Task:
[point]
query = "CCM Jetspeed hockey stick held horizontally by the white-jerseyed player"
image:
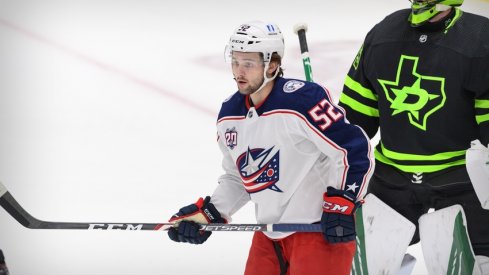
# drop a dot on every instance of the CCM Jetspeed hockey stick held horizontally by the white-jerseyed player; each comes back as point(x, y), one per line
point(8, 202)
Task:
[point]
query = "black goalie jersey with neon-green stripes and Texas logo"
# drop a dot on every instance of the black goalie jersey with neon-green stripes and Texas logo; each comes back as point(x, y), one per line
point(427, 91)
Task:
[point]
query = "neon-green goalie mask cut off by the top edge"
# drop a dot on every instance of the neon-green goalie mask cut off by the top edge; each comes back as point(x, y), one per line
point(424, 10)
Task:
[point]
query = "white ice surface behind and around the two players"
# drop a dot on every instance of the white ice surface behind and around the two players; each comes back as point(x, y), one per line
point(107, 114)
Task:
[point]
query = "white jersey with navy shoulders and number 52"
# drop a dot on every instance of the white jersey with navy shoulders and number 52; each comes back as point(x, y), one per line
point(283, 154)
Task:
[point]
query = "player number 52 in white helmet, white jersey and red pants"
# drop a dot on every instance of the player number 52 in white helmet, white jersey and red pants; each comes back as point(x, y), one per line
point(288, 149)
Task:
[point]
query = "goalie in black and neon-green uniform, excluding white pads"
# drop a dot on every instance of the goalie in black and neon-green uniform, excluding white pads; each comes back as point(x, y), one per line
point(422, 77)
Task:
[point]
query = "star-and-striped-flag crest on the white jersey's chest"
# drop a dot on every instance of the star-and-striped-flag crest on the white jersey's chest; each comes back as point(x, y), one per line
point(259, 169)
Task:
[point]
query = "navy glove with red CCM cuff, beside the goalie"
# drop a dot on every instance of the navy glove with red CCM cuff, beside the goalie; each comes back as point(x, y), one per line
point(338, 220)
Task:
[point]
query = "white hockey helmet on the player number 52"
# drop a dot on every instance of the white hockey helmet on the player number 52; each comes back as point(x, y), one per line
point(256, 36)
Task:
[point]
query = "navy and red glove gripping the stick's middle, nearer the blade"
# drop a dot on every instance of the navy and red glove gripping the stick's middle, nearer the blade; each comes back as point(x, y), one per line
point(188, 221)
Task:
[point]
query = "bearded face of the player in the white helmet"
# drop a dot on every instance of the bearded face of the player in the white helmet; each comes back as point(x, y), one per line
point(248, 71)
